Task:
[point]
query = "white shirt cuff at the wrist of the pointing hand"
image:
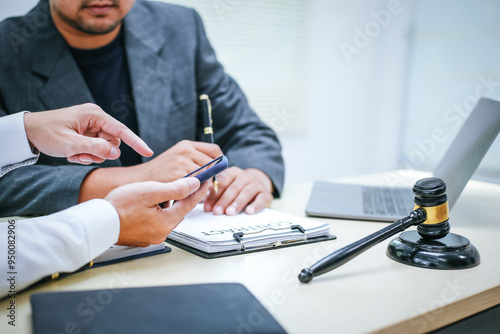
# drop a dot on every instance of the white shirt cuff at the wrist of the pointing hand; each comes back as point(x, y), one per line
point(15, 150)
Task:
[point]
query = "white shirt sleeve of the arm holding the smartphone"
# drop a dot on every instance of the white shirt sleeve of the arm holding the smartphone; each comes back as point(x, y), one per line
point(61, 242)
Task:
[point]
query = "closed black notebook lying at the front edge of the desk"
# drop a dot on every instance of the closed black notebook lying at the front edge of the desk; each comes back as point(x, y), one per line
point(204, 308)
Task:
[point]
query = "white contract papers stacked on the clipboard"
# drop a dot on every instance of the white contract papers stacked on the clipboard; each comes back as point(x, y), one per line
point(210, 233)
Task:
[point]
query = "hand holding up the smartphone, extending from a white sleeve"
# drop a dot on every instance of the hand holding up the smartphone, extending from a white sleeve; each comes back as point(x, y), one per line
point(142, 220)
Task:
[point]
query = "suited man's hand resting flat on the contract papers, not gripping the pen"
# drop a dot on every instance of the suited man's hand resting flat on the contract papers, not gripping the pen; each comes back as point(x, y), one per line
point(238, 188)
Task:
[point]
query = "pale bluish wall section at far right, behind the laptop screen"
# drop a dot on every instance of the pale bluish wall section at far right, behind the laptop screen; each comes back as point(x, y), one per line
point(455, 60)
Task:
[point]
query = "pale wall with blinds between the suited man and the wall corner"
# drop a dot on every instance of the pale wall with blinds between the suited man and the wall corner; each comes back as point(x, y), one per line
point(348, 105)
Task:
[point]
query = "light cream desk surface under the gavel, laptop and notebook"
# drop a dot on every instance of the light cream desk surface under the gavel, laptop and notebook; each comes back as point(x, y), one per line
point(369, 294)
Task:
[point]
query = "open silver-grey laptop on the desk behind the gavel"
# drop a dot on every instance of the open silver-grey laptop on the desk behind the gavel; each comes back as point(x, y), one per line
point(383, 203)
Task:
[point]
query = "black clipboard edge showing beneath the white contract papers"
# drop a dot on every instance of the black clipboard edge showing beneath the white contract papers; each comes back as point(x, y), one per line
point(217, 255)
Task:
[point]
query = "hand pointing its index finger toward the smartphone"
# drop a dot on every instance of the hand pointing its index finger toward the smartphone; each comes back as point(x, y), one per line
point(84, 134)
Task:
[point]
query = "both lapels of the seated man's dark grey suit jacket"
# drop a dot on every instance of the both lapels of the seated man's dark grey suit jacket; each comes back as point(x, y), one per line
point(150, 74)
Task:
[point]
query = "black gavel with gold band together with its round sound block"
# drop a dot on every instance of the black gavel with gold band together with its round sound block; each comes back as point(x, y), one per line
point(431, 246)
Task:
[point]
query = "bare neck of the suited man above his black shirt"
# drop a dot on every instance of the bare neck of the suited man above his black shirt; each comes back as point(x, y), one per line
point(80, 40)
